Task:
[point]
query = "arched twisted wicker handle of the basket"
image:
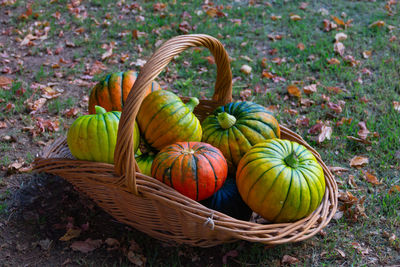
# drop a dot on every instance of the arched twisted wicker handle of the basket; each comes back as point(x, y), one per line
point(124, 158)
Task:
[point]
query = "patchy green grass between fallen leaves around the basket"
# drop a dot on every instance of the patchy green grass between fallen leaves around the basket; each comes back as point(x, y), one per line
point(250, 37)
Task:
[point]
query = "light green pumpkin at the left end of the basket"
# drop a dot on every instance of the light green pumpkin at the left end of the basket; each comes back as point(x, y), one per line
point(93, 137)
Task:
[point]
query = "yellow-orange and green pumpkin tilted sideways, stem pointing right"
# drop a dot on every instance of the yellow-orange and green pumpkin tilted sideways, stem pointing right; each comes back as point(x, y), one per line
point(164, 119)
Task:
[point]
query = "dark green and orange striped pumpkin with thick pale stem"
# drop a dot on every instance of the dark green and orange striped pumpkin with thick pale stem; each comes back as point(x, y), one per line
point(237, 126)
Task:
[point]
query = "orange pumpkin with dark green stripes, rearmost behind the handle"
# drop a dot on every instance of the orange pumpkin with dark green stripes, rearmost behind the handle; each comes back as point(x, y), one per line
point(112, 91)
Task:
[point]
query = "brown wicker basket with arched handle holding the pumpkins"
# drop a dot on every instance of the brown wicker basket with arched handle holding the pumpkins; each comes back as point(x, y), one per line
point(156, 209)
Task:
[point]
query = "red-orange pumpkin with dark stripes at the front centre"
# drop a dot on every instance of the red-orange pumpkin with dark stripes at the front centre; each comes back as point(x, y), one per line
point(195, 169)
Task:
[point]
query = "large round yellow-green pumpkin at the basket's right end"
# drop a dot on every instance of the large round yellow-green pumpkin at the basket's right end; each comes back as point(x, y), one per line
point(280, 180)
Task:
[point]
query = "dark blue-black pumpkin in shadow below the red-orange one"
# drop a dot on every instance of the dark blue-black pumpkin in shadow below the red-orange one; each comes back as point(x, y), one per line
point(228, 200)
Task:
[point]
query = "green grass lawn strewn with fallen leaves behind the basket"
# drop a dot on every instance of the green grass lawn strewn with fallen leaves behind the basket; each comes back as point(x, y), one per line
point(293, 45)
